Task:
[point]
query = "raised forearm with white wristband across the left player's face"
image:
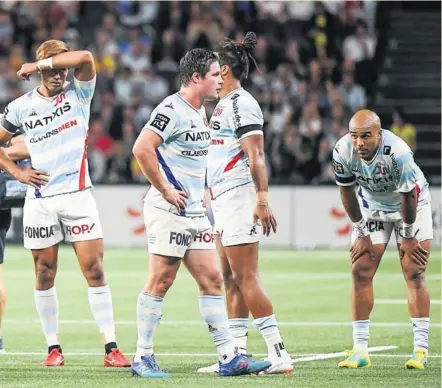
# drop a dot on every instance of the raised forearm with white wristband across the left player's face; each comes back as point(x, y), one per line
point(82, 61)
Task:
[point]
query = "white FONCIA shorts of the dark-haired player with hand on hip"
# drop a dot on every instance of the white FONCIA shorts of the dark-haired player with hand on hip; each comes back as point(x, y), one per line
point(172, 235)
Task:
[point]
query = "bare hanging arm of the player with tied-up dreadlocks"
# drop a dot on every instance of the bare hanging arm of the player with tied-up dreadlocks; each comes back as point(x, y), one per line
point(253, 147)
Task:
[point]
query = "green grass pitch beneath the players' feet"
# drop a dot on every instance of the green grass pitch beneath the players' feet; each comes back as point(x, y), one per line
point(311, 295)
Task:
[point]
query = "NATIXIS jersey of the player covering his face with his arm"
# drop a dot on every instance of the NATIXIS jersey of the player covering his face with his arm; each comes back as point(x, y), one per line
point(55, 131)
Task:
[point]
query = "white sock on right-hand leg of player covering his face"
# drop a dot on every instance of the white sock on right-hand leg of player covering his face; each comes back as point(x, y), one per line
point(100, 302)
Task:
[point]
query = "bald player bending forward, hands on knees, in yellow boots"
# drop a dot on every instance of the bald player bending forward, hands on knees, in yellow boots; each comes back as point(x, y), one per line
point(382, 189)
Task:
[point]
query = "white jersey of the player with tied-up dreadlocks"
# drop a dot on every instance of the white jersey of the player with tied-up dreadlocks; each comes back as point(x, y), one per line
point(236, 116)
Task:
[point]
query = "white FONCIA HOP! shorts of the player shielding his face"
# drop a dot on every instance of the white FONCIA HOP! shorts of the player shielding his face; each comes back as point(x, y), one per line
point(70, 217)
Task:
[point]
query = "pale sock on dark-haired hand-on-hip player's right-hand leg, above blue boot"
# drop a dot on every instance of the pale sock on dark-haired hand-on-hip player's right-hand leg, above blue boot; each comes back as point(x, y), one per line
point(213, 310)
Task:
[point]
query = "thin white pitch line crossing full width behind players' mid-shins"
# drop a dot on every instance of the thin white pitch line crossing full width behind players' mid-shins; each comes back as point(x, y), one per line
point(200, 323)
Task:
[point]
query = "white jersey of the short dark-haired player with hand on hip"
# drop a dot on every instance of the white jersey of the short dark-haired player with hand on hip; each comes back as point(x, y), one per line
point(182, 155)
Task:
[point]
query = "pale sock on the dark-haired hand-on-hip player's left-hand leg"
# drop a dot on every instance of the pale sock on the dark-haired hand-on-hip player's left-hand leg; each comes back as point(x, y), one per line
point(148, 318)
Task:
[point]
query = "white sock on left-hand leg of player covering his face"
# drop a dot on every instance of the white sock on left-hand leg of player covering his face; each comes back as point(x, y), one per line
point(46, 303)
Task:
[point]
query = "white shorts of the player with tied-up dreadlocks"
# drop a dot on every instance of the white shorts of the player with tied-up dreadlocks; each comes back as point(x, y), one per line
point(233, 214)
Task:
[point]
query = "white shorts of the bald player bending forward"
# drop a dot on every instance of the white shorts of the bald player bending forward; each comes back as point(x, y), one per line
point(380, 225)
